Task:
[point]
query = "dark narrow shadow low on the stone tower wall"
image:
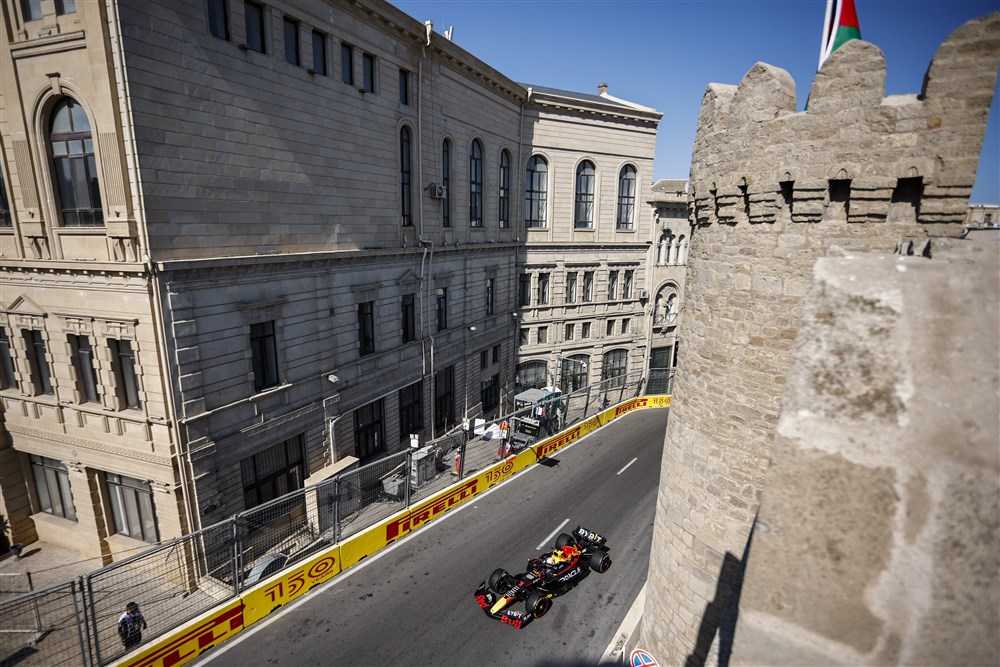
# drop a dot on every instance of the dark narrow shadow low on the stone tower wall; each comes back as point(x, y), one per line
point(723, 611)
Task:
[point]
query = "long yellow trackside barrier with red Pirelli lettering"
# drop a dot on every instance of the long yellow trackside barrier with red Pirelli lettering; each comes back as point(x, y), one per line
point(189, 640)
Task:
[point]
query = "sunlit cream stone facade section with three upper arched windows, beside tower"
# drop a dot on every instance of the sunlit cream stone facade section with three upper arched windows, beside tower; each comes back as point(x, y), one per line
point(584, 286)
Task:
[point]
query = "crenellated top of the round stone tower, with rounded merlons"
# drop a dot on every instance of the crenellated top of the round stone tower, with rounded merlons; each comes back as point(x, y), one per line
point(911, 157)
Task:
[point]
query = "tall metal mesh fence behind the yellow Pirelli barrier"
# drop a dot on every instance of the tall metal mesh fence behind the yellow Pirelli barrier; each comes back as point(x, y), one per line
point(76, 623)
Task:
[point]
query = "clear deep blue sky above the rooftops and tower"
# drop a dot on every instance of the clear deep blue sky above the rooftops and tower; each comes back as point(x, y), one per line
point(663, 53)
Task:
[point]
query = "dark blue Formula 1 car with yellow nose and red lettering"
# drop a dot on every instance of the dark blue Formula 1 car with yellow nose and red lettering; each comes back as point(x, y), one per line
point(547, 576)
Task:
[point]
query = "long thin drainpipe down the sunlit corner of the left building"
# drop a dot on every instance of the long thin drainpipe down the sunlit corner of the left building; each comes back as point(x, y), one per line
point(182, 455)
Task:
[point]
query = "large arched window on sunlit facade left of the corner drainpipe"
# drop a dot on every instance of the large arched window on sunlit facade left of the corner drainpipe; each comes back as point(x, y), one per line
point(74, 168)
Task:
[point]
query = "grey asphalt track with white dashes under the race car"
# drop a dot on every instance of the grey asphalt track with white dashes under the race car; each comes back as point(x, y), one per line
point(413, 603)
